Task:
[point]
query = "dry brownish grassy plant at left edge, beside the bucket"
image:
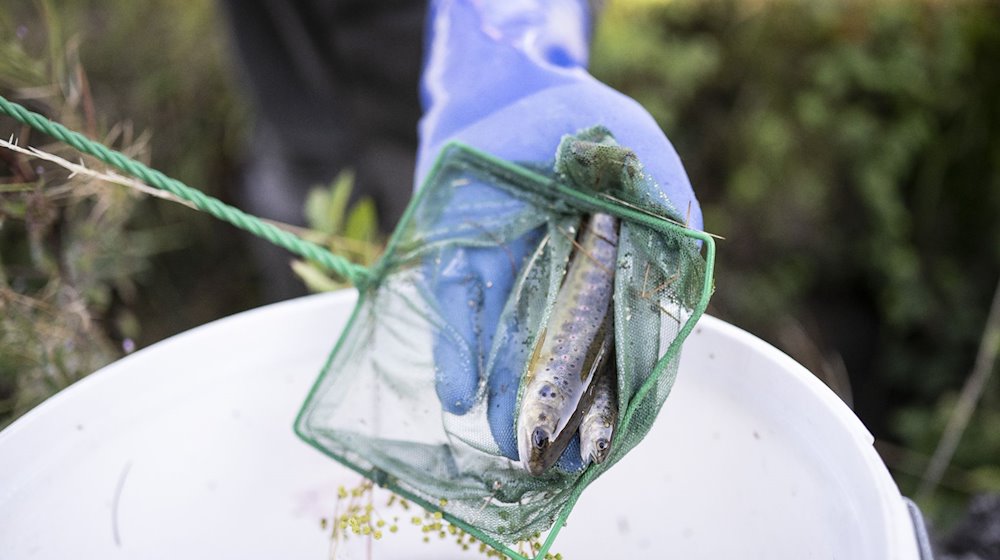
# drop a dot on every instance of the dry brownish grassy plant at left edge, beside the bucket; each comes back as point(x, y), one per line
point(64, 272)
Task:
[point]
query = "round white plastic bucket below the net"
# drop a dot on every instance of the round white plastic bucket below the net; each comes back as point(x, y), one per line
point(186, 450)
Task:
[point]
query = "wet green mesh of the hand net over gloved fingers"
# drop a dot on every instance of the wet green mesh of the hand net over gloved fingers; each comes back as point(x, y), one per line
point(381, 405)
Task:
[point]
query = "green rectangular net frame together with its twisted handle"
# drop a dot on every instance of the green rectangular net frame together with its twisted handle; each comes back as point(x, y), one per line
point(366, 280)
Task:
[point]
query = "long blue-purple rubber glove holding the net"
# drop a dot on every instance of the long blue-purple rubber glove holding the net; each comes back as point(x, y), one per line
point(509, 78)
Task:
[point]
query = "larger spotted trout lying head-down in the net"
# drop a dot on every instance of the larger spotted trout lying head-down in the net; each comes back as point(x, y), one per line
point(571, 350)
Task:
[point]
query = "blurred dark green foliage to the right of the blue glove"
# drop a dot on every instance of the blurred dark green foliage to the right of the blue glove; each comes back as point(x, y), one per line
point(850, 154)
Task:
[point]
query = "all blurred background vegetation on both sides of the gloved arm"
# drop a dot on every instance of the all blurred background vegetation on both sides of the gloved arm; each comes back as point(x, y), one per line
point(848, 151)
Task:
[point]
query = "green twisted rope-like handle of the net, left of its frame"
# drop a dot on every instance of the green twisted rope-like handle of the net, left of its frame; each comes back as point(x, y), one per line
point(354, 273)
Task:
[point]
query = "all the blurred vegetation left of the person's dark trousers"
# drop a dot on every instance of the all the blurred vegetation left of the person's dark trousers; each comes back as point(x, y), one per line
point(89, 271)
